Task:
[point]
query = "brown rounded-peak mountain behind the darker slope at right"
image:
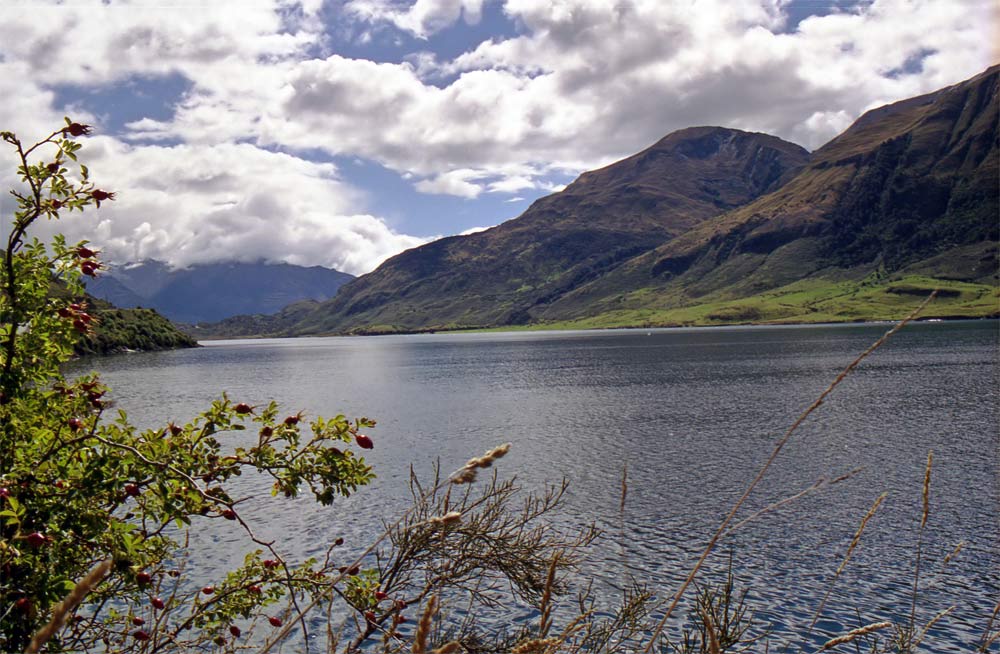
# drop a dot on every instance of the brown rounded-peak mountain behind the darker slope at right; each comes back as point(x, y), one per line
point(564, 240)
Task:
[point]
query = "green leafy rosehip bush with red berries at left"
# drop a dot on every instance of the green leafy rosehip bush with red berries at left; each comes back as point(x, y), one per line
point(80, 485)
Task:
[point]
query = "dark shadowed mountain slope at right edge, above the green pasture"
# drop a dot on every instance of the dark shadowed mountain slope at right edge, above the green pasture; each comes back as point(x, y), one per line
point(909, 188)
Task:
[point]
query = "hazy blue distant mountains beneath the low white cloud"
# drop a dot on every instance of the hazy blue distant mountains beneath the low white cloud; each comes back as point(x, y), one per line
point(212, 292)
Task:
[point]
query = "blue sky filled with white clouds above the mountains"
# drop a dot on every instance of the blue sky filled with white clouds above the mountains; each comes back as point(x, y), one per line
point(341, 132)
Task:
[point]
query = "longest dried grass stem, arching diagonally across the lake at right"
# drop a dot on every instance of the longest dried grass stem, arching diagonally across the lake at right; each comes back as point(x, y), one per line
point(767, 465)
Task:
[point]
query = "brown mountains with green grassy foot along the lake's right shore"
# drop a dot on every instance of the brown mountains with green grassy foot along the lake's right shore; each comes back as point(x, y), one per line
point(713, 225)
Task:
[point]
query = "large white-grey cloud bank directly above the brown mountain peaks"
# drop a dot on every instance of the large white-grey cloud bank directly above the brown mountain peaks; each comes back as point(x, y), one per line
point(588, 82)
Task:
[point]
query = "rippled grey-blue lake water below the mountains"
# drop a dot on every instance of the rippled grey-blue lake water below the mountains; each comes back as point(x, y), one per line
point(693, 413)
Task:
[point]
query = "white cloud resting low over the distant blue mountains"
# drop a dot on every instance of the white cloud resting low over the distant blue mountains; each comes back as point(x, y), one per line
point(188, 204)
